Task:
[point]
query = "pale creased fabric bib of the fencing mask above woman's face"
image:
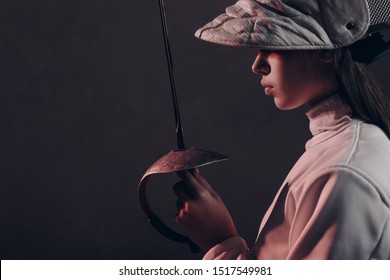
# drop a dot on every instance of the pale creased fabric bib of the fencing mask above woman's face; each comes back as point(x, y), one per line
point(278, 25)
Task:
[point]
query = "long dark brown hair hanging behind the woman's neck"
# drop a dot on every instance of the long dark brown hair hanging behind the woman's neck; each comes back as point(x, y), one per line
point(362, 92)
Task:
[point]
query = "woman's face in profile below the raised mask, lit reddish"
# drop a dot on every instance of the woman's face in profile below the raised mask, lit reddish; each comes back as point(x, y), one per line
point(294, 78)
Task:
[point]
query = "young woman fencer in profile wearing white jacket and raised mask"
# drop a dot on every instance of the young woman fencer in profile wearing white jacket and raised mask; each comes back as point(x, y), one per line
point(334, 203)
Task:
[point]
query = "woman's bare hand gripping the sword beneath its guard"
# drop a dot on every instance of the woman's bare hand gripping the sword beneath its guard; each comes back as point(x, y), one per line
point(202, 215)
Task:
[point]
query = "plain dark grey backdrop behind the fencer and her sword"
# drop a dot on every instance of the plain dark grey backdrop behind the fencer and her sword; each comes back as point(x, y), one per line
point(85, 110)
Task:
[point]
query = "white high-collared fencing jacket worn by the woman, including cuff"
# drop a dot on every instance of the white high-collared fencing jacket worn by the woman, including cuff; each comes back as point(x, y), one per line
point(334, 203)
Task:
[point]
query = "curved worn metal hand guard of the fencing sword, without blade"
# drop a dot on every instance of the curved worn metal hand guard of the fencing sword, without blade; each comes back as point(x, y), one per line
point(177, 160)
